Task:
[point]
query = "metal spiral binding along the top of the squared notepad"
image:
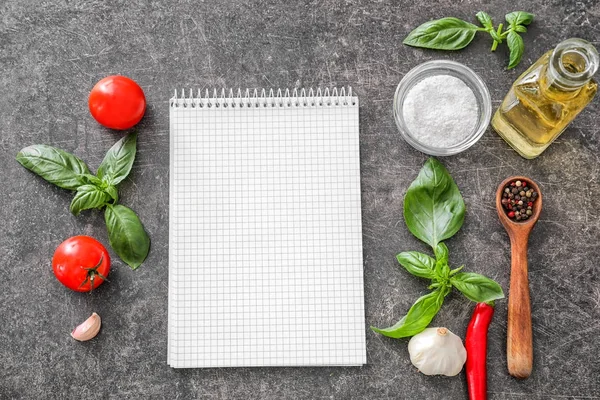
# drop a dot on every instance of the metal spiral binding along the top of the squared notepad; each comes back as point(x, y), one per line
point(251, 98)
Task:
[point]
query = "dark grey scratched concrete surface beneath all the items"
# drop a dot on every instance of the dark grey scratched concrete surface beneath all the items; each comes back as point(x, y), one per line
point(52, 53)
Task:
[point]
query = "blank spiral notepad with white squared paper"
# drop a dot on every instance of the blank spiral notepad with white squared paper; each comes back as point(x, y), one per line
point(265, 243)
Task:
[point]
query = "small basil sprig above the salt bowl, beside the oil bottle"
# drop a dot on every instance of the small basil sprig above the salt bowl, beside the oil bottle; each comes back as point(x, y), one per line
point(455, 34)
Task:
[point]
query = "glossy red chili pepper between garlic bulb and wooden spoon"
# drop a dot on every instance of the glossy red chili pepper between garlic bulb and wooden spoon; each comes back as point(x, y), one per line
point(476, 345)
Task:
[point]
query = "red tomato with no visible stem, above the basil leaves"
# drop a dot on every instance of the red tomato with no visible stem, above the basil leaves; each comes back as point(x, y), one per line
point(117, 102)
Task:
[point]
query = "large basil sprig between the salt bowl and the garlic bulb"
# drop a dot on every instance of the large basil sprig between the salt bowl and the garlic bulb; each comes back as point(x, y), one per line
point(434, 211)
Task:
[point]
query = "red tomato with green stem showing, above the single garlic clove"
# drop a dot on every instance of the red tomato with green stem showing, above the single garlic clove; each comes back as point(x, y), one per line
point(81, 263)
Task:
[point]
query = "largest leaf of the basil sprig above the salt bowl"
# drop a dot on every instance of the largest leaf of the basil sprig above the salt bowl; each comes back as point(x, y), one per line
point(442, 34)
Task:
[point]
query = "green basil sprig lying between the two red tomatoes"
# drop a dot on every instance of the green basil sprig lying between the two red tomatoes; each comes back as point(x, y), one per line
point(126, 233)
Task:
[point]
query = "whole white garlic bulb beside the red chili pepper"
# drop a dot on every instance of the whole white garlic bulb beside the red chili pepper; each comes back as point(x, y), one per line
point(437, 351)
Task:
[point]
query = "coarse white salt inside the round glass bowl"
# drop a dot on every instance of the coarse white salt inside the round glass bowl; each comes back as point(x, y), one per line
point(440, 111)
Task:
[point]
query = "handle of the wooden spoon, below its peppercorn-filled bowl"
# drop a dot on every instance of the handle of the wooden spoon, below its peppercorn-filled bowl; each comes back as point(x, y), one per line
point(519, 346)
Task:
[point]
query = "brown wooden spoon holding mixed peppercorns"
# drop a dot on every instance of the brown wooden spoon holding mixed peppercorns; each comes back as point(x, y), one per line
point(519, 341)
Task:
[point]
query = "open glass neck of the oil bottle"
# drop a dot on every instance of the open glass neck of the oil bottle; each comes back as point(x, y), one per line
point(571, 66)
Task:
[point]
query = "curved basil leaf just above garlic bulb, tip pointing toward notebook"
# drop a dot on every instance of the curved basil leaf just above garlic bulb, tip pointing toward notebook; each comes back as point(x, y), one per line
point(417, 318)
